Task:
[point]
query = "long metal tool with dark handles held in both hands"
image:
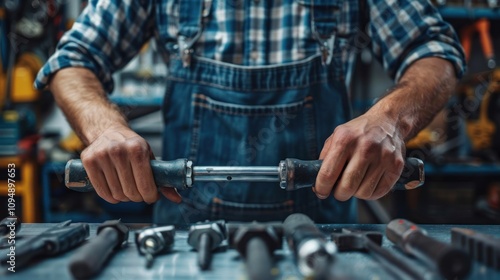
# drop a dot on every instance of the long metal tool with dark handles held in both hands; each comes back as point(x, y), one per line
point(292, 174)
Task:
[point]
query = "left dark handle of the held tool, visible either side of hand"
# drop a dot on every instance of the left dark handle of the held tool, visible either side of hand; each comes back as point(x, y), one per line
point(172, 174)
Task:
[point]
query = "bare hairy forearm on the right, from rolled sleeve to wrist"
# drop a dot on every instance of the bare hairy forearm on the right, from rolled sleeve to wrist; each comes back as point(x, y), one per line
point(422, 91)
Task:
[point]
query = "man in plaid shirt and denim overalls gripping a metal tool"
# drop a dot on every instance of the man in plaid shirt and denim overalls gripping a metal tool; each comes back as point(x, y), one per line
point(252, 83)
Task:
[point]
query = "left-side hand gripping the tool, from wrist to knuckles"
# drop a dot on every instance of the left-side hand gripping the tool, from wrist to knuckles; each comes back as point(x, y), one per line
point(117, 163)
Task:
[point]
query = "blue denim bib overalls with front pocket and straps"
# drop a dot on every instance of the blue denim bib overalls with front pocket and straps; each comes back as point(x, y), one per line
point(222, 114)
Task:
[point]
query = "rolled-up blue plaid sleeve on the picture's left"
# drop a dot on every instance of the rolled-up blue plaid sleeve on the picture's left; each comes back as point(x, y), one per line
point(104, 38)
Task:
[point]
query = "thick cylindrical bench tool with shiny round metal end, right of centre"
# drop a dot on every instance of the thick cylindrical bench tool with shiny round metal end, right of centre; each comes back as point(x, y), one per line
point(313, 253)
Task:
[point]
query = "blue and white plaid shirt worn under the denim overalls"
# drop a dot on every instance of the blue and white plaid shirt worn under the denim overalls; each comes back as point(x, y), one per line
point(109, 33)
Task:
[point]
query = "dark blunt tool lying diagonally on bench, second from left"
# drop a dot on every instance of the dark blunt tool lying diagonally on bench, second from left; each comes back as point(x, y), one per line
point(90, 258)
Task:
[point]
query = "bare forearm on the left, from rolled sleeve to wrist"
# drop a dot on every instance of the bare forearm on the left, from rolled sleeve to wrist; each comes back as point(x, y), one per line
point(82, 99)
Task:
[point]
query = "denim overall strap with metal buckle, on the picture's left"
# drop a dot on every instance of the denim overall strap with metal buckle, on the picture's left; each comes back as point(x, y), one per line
point(191, 21)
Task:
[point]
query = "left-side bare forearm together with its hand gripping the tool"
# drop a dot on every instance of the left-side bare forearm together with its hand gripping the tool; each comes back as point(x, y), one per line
point(116, 158)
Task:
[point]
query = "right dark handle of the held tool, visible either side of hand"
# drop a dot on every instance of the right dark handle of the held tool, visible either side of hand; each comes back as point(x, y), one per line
point(302, 174)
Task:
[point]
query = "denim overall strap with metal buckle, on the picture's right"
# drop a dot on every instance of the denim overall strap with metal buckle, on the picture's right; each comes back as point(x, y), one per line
point(324, 14)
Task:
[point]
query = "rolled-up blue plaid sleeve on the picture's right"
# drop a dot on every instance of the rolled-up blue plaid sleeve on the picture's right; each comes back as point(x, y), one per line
point(405, 31)
